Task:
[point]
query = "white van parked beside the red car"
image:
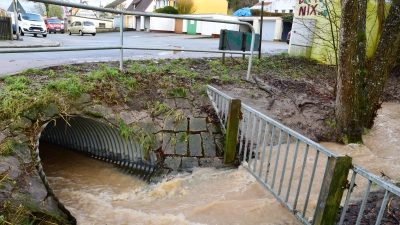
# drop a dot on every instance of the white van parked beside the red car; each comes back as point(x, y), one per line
point(31, 23)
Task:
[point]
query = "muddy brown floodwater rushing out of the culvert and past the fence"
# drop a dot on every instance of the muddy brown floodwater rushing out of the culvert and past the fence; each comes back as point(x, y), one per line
point(98, 193)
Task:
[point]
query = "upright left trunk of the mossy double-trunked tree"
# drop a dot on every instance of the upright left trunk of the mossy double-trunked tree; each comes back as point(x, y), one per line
point(351, 68)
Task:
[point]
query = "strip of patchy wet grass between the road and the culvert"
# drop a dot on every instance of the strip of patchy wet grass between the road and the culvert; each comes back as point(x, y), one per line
point(35, 88)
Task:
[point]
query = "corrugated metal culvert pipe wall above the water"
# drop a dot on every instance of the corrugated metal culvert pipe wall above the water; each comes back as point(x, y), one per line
point(101, 141)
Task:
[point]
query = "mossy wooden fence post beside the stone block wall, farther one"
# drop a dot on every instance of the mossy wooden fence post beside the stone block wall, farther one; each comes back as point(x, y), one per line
point(232, 129)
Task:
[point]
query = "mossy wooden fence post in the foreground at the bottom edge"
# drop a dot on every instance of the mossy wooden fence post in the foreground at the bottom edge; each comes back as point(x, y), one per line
point(332, 190)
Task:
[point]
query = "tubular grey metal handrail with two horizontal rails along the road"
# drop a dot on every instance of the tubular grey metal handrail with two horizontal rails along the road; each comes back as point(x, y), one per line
point(121, 47)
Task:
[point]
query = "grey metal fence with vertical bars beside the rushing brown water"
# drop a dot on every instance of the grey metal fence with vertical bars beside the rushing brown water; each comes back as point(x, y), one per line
point(303, 175)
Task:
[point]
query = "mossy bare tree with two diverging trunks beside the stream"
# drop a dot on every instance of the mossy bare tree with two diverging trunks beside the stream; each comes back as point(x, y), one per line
point(362, 78)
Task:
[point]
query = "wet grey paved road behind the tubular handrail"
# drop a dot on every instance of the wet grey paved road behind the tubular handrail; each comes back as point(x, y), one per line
point(11, 63)
